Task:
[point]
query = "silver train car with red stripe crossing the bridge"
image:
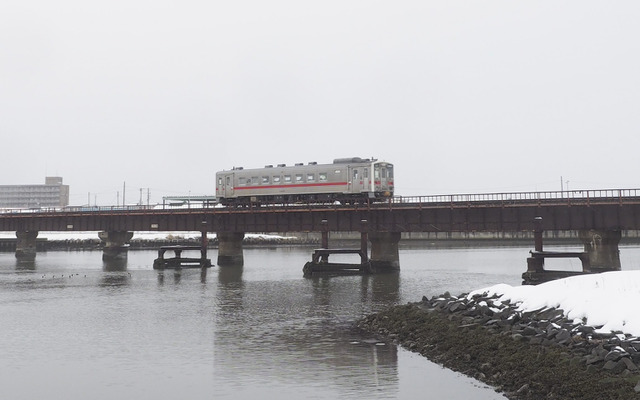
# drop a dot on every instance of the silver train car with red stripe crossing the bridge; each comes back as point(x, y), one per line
point(347, 180)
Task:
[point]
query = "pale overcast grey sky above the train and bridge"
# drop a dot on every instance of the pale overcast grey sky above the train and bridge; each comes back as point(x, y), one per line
point(462, 96)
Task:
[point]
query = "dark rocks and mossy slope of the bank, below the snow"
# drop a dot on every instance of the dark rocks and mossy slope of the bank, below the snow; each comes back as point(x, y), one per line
point(525, 355)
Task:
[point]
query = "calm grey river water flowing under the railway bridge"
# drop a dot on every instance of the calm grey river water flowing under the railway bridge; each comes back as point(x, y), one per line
point(74, 327)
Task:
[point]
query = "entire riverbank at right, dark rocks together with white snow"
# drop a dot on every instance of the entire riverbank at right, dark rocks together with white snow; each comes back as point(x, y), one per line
point(574, 338)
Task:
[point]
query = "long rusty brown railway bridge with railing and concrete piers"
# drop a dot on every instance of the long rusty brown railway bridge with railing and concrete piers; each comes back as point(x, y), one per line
point(598, 215)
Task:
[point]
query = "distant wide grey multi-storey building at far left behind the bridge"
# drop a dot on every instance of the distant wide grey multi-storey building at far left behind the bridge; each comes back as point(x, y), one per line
point(52, 194)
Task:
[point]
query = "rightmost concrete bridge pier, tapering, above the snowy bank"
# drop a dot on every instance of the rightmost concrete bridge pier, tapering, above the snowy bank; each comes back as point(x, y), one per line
point(602, 247)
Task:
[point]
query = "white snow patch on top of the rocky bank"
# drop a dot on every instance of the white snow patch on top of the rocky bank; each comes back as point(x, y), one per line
point(609, 299)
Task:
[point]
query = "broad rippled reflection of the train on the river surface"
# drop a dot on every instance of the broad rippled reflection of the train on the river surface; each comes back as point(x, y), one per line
point(311, 332)
